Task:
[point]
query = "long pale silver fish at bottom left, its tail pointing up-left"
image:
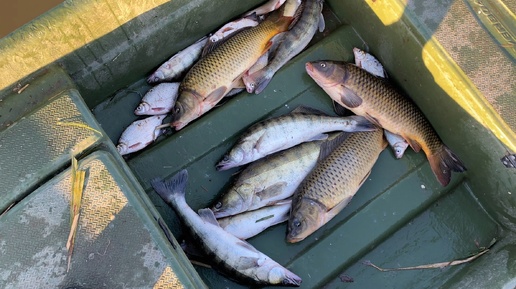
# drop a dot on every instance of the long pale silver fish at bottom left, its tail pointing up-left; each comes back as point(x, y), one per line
point(229, 255)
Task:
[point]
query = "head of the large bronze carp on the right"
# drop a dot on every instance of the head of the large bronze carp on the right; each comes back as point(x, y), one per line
point(327, 73)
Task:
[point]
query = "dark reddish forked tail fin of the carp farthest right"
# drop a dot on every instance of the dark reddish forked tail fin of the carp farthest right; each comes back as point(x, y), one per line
point(443, 163)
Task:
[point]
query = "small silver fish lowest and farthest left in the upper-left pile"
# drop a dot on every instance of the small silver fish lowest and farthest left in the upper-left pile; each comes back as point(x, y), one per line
point(139, 134)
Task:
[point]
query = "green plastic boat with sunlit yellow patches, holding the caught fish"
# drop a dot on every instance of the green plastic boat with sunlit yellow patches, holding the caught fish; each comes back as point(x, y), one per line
point(71, 79)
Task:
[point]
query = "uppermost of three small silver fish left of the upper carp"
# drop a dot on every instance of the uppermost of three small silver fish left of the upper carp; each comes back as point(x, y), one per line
point(179, 63)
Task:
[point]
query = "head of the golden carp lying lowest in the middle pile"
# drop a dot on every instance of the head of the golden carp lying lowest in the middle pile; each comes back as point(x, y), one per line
point(306, 217)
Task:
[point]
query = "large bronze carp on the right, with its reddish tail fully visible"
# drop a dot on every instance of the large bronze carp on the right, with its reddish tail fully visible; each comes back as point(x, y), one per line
point(381, 103)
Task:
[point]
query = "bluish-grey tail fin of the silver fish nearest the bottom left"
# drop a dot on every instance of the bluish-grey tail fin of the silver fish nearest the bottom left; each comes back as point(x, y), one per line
point(173, 188)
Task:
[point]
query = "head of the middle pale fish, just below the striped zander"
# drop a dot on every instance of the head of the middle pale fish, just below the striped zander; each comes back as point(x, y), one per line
point(235, 201)
